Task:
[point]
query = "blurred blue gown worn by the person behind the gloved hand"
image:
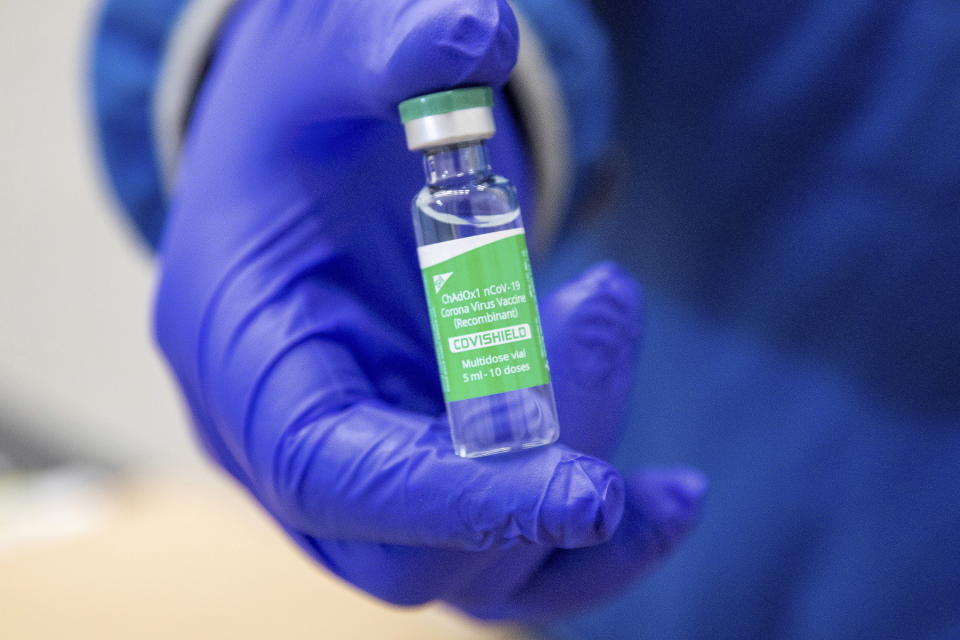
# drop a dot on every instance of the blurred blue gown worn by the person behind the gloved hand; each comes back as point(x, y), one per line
point(790, 197)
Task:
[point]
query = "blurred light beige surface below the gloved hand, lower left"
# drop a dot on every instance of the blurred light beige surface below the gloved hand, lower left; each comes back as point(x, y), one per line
point(195, 560)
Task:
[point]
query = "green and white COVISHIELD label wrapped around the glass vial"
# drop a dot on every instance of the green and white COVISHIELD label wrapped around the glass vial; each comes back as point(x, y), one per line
point(483, 312)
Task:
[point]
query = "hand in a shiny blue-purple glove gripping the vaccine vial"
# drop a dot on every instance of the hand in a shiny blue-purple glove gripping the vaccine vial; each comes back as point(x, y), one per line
point(290, 308)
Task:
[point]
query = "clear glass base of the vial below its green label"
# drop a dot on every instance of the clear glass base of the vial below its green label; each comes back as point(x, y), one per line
point(504, 422)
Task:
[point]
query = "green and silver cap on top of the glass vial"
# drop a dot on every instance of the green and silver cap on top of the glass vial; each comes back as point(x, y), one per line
point(448, 117)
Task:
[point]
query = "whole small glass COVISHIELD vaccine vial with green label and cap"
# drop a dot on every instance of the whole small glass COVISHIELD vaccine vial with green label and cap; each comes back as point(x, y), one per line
point(476, 275)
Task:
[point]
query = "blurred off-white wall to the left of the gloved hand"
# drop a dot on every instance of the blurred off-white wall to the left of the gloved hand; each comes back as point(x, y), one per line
point(78, 373)
